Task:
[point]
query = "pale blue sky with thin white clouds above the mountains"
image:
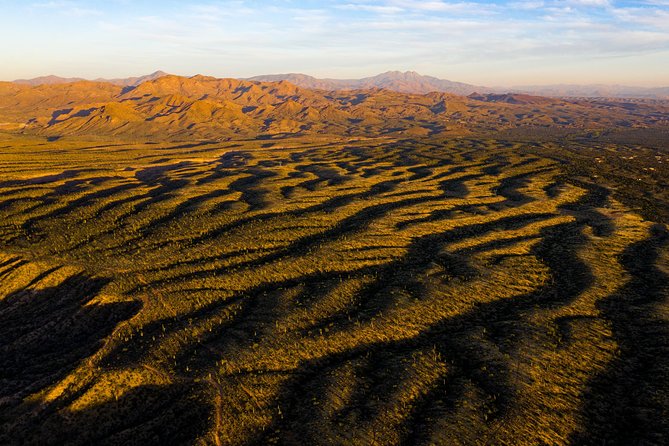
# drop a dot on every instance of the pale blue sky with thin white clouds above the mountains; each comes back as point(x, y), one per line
point(491, 43)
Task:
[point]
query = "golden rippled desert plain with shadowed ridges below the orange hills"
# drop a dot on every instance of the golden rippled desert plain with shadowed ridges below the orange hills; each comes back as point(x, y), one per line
point(352, 292)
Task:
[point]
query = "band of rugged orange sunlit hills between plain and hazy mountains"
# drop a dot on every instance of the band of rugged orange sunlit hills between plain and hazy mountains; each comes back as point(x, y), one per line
point(204, 107)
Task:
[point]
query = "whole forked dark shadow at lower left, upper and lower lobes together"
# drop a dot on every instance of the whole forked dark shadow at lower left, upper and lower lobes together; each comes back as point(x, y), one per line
point(45, 335)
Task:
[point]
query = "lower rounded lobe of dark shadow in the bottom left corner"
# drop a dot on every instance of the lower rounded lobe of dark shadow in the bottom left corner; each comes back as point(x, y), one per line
point(176, 414)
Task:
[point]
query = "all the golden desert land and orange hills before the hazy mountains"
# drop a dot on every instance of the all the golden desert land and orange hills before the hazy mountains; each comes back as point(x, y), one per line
point(218, 261)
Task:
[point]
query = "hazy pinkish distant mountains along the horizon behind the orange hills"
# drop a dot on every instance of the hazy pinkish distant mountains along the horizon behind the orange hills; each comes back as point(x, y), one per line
point(406, 82)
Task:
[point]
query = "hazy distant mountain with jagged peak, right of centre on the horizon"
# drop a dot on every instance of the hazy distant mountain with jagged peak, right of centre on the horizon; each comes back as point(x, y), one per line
point(403, 82)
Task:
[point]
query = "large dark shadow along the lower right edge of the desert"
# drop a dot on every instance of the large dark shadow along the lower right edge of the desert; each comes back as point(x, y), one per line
point(628, 404)
